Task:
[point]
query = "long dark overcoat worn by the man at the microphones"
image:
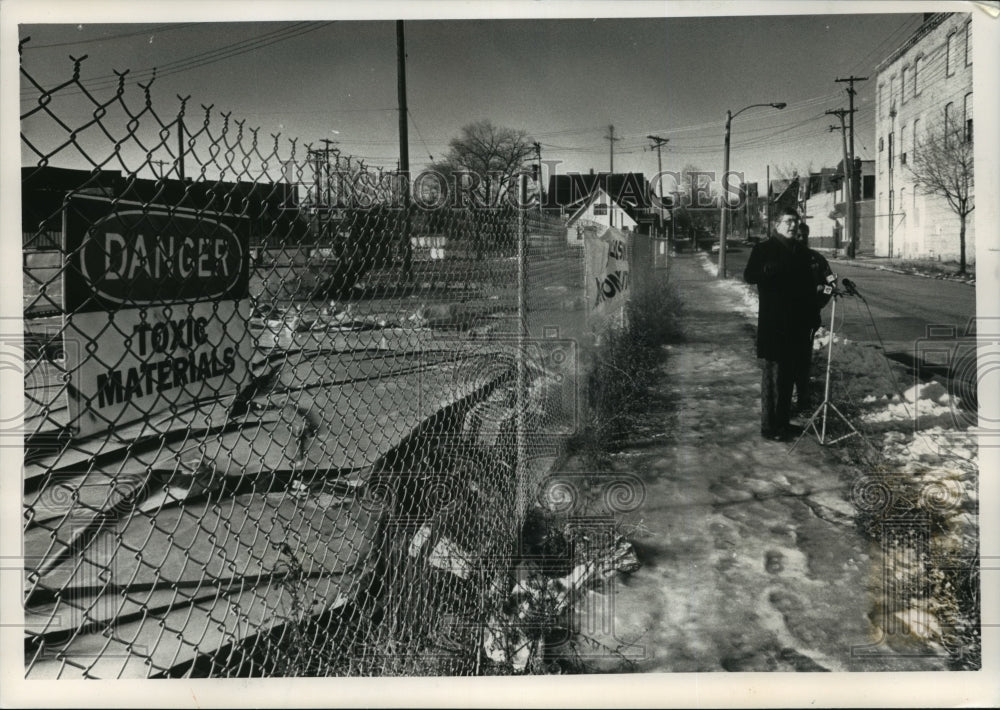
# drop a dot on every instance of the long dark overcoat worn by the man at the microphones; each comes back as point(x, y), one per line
point(789, 307)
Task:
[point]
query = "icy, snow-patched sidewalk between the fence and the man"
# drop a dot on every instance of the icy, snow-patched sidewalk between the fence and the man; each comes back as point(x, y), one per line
point(750, 557)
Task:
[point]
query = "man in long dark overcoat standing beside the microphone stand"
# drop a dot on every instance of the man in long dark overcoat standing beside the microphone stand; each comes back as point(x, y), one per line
point(786, 318)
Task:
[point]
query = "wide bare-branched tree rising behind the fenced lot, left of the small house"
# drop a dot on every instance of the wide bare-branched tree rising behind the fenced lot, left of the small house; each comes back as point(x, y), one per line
point(489, 156)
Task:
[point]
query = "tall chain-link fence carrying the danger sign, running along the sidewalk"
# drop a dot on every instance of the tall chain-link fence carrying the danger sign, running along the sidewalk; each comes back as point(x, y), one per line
point(273, 426)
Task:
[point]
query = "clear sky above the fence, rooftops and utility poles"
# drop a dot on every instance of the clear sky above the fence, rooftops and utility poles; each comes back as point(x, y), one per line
point(563, 81)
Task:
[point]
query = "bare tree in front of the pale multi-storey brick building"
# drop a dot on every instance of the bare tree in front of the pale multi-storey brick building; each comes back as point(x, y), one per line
point(942, 166)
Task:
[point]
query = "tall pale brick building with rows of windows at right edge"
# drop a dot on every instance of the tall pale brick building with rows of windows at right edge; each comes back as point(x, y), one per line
point(924, 85)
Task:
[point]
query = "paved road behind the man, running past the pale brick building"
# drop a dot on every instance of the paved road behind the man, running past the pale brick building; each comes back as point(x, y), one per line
point(903, 307)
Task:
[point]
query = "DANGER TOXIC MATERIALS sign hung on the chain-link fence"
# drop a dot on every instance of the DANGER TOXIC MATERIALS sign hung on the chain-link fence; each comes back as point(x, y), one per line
point(162, 294)
